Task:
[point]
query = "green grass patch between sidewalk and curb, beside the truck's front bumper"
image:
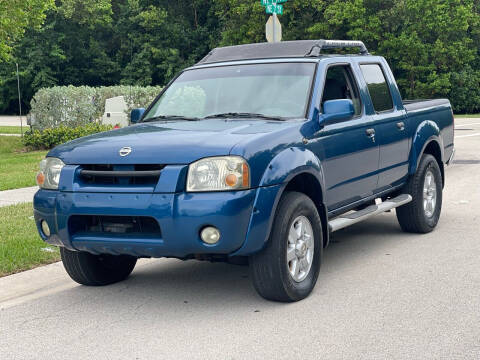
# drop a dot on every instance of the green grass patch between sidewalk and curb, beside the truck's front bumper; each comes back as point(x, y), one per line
point(21, 248)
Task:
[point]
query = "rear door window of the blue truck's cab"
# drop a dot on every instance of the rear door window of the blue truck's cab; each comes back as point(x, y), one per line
point(377, 87)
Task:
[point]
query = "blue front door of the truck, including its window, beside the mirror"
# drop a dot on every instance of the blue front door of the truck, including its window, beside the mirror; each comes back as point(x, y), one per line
point(348, 151)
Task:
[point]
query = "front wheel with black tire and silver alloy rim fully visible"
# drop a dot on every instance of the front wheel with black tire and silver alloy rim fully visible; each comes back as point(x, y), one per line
point(270, 270)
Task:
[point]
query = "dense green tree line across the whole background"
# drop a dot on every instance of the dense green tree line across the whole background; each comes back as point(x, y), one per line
point(433, 46)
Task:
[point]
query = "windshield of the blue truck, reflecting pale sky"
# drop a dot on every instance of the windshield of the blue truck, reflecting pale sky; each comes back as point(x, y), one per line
point(271, 90)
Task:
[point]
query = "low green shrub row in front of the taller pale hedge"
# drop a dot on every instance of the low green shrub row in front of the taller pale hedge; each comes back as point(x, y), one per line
point(49, 138)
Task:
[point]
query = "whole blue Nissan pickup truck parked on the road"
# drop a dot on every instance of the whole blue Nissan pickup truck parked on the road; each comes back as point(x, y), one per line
point(254, 155)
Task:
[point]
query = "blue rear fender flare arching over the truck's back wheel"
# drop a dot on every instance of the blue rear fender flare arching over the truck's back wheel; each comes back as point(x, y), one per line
point(425, 133)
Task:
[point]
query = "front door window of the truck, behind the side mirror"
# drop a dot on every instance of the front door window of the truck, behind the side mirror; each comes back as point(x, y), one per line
point(341, 84)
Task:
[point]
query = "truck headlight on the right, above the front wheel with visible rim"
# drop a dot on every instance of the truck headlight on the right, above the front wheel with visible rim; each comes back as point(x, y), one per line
point(218, 174)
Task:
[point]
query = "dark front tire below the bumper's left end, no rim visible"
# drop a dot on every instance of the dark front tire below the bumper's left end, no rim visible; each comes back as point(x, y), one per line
point(96, 270)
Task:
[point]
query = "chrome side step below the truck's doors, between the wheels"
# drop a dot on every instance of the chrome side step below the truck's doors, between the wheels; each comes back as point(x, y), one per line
point(351, 218)
